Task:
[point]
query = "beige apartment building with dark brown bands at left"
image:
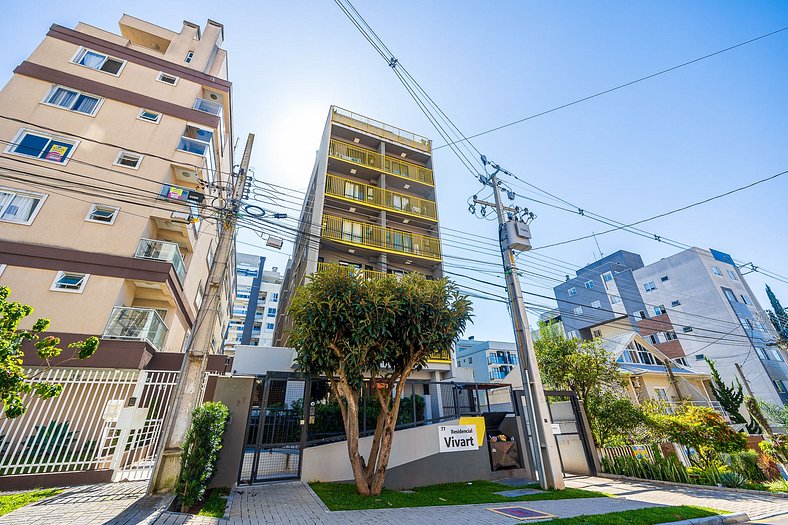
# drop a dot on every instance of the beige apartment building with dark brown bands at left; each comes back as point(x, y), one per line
point(113, 149)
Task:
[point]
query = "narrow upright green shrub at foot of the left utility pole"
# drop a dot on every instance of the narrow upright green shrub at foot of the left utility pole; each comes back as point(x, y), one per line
point(200, 451)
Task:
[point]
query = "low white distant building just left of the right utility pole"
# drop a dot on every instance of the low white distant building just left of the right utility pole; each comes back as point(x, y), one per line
point(489, 360)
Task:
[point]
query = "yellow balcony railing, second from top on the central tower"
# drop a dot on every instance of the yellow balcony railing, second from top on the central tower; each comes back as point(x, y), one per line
point(380, 198)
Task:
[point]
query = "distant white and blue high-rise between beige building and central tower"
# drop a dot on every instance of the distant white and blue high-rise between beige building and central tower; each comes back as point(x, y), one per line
point(255, 305)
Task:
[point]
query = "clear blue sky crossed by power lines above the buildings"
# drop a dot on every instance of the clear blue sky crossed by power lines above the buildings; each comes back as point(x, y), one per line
point(652, 147)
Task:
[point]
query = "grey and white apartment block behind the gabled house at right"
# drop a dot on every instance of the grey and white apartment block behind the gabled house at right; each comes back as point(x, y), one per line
point(692, 306)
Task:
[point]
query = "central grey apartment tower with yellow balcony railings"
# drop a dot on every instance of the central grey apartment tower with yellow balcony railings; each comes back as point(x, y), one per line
point(370, 206)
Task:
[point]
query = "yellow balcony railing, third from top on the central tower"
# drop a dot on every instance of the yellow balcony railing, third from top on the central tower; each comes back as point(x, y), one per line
point(378, 238)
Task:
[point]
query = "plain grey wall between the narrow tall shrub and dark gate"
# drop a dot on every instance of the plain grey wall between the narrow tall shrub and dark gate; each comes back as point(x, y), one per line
point(236, 393)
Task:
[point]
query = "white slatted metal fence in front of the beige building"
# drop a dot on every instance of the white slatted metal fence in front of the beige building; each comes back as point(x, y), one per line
point(102, 419)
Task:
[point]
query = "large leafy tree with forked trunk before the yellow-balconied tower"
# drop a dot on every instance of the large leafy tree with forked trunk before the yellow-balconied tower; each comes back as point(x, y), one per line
point(351, 329)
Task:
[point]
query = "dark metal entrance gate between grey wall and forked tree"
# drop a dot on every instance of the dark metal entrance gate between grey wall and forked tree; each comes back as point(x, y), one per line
point(275, 434)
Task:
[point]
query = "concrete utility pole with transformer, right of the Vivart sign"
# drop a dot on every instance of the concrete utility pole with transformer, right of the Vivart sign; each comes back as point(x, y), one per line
point(546, 449)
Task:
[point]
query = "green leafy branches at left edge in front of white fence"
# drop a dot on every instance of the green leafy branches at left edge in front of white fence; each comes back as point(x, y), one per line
point(14, 381)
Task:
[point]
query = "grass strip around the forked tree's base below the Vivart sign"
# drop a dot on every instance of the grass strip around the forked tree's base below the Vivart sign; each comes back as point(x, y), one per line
point(343, 496)
